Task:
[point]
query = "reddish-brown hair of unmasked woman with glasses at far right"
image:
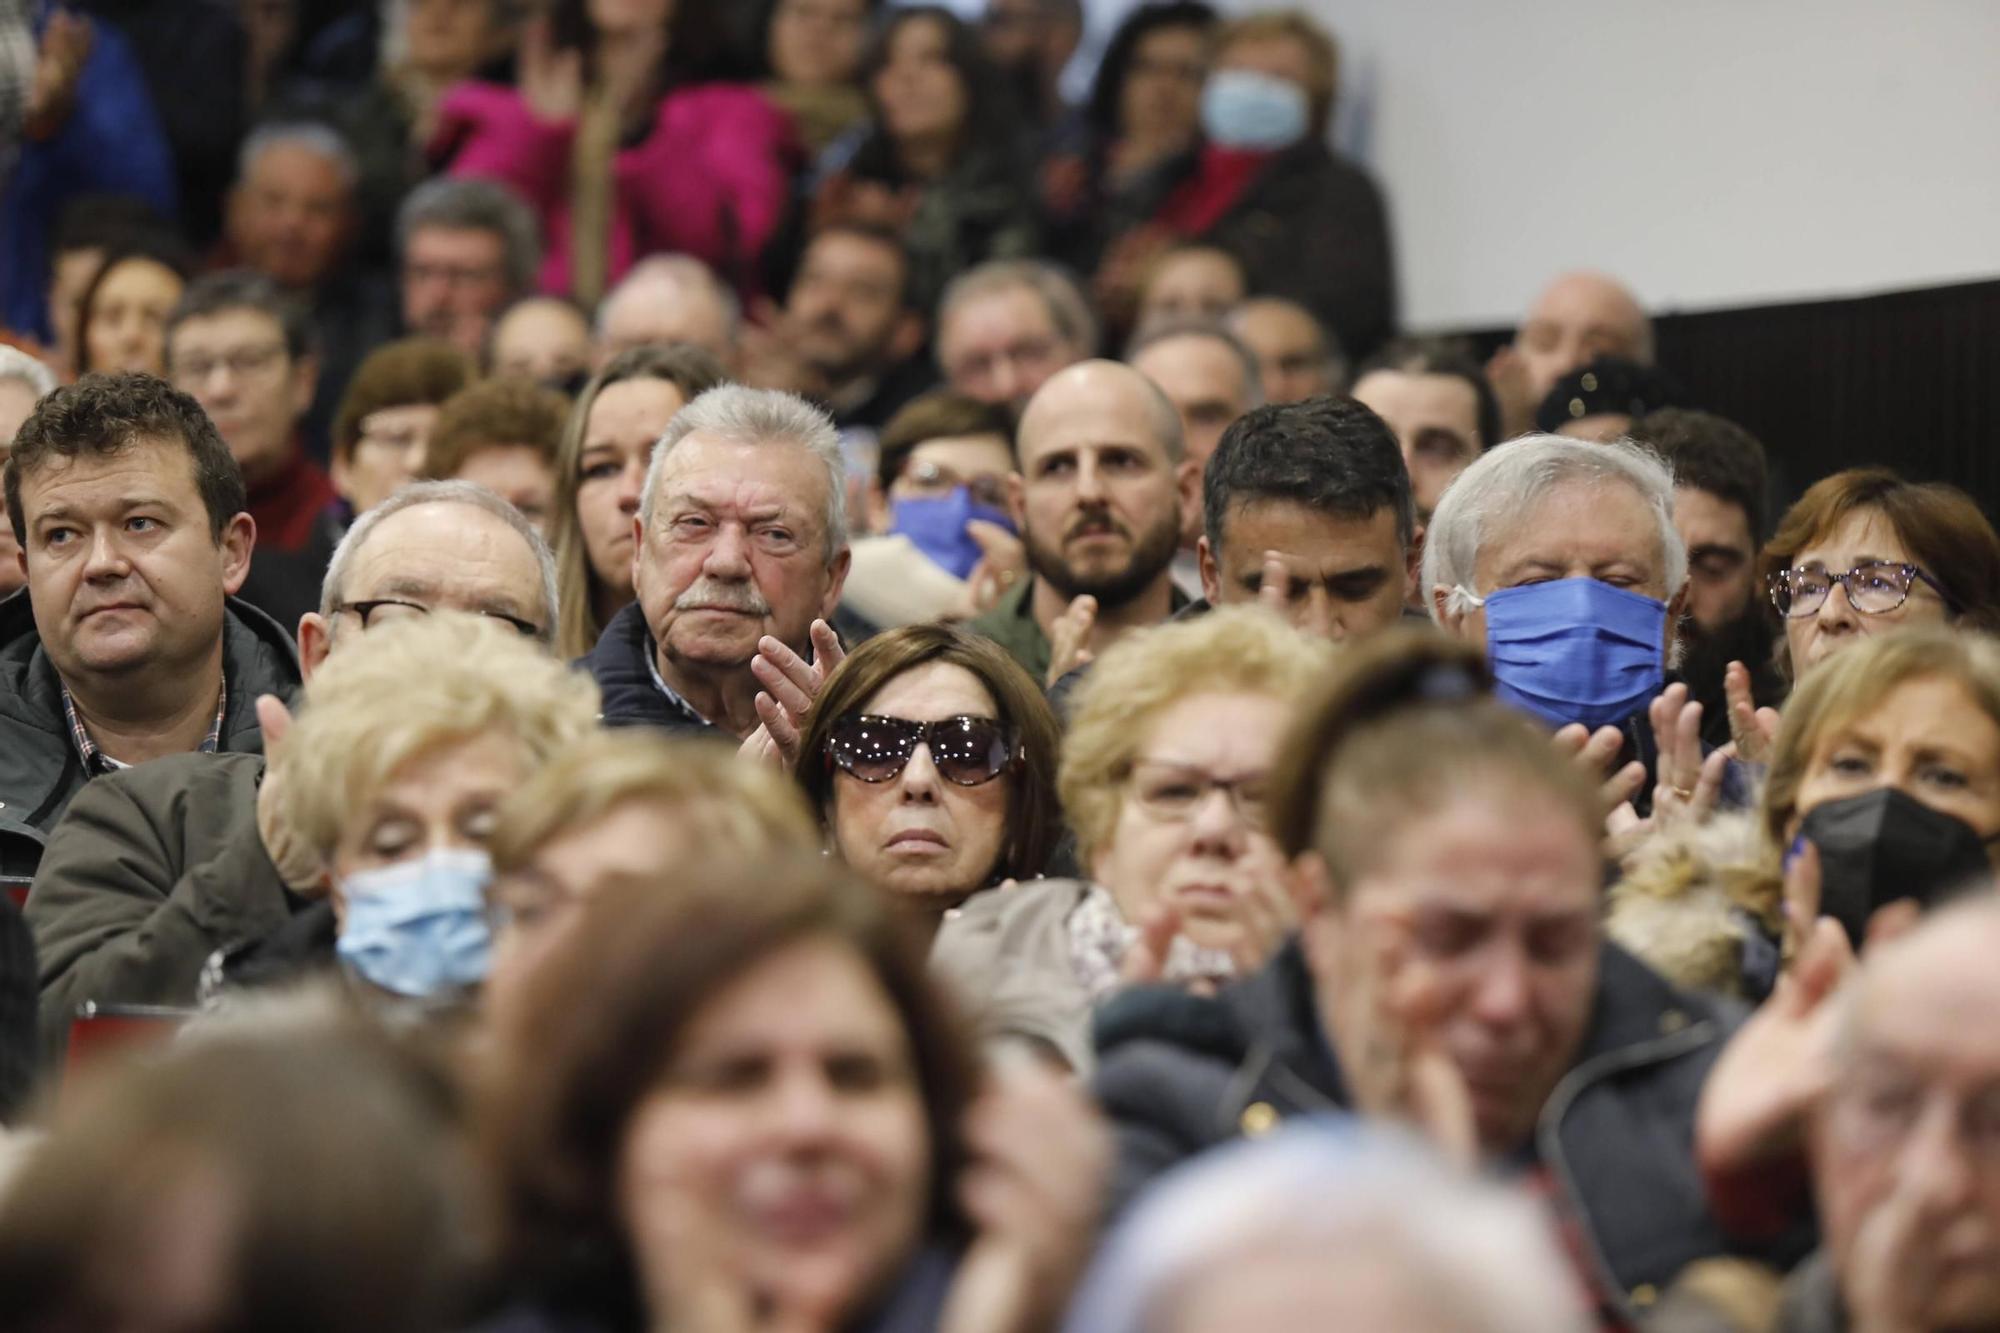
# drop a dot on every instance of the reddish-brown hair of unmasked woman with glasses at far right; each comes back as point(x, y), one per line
point(1939, 525)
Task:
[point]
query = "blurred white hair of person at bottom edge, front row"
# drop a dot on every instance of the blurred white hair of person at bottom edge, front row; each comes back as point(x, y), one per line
point(1477, 1252)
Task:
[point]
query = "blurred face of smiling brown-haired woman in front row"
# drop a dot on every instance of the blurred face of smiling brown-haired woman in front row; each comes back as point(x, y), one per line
point(789, 1132)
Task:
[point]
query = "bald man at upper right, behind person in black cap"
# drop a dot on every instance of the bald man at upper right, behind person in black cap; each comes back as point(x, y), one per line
point(1577, 317)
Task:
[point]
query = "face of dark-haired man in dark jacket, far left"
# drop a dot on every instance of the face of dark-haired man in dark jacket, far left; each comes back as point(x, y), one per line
point(123, 569)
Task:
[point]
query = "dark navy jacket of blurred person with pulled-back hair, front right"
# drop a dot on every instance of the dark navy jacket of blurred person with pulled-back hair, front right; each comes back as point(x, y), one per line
point(1181, 1076)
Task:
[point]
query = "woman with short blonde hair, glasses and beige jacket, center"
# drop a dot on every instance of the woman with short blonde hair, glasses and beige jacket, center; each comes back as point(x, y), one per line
point(1179, 886)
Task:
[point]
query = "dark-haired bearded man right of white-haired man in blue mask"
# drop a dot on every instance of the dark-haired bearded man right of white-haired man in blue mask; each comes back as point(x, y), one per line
point(1719, 507)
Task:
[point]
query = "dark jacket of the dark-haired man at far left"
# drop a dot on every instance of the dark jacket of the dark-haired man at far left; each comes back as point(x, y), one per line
point(41, 770)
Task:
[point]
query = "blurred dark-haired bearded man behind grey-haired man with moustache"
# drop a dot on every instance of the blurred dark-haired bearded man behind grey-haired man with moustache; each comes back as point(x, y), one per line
point(847, 333)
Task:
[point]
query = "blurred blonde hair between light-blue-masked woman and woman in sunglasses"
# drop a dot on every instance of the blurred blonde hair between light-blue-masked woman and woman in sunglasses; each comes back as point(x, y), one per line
point(741, 808)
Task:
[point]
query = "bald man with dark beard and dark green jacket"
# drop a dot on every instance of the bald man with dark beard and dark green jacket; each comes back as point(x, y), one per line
point(1101, 493)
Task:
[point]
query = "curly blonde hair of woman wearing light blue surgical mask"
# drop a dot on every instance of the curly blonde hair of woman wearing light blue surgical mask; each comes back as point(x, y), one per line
point(401, 692)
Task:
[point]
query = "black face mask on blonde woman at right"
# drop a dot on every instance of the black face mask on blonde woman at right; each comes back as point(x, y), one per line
point(1889, 846)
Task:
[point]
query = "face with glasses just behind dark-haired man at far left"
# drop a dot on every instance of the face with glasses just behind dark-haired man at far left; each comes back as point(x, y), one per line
point(239, 369)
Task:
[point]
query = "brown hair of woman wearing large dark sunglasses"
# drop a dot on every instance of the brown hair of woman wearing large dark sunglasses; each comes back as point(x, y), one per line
point(1033, 814)
